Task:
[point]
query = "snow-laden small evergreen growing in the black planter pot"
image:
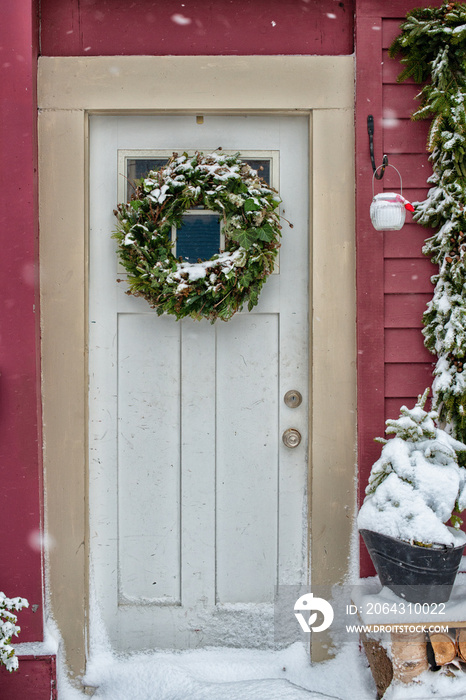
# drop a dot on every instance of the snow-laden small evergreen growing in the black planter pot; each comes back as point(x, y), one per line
point(417, 485)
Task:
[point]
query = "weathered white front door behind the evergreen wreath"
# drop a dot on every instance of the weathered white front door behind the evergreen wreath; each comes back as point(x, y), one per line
point(198, 510)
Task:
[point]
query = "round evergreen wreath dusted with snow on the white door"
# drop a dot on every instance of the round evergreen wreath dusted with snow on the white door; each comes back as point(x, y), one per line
point(214, 288)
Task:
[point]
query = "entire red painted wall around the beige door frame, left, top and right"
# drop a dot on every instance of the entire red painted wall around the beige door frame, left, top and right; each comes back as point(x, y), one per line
point(393, 277)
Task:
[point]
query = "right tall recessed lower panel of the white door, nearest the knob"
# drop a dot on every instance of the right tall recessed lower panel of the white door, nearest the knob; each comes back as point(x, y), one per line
point(247, 420)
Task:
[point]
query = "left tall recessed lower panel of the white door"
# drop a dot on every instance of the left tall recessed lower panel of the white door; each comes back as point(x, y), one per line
point(148, 459)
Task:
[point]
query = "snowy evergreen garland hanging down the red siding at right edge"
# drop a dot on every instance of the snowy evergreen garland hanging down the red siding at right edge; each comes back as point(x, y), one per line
point(433, 48)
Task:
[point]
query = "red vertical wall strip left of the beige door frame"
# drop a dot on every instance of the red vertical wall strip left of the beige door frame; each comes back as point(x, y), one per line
point(20, 467)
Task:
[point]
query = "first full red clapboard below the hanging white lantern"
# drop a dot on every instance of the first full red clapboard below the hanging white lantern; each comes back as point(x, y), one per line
point(408, 276)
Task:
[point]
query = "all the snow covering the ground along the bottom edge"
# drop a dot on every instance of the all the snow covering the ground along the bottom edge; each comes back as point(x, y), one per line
point(238, 674)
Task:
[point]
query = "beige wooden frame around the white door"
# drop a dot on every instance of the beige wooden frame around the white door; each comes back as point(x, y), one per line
point(69, 89)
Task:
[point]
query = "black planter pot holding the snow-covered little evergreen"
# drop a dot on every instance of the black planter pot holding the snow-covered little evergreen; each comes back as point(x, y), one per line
point(417, 574)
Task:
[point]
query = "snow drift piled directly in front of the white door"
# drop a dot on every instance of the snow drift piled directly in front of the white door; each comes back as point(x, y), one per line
point(230, 674)
